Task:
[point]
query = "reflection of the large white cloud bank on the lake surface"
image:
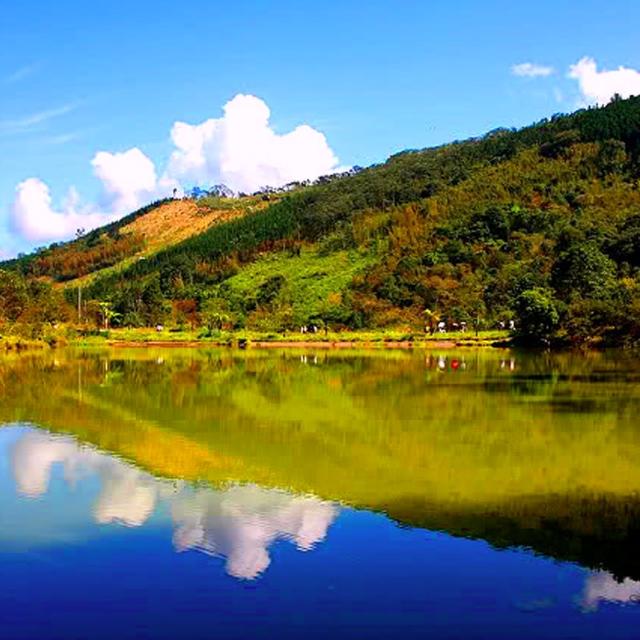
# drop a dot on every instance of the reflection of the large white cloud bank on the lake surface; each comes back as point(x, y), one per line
point(239, 523)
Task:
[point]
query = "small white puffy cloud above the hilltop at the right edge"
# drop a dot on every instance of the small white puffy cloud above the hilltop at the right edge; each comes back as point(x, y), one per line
point(600, 86)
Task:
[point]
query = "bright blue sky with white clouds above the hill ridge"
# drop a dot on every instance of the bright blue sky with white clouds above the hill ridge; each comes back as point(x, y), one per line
point(80, 78)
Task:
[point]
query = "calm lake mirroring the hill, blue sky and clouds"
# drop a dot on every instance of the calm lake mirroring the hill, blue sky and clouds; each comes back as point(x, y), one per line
point(176, 493)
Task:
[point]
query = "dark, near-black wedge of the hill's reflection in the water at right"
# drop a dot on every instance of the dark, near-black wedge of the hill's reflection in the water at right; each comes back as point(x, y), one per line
point(598, 531)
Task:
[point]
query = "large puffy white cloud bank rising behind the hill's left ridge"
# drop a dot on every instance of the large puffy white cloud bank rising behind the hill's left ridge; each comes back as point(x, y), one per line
point(239, 149)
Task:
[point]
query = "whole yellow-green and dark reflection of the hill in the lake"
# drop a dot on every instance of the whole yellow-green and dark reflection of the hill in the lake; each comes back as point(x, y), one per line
point(520, 450)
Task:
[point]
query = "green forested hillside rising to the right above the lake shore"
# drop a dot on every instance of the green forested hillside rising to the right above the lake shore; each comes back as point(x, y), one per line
point(540, 225)
